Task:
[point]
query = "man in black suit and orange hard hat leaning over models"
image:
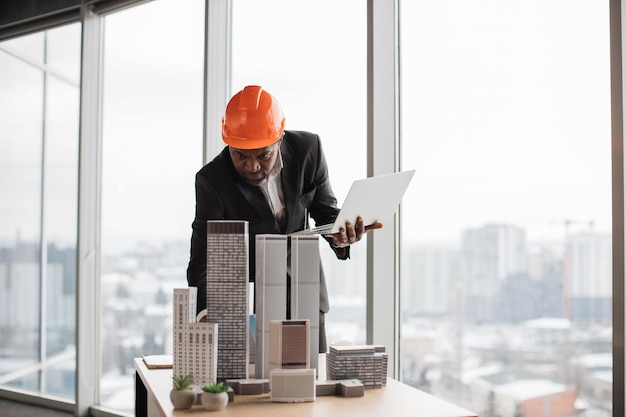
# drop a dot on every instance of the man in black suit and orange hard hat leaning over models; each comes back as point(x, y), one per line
point(270, 177)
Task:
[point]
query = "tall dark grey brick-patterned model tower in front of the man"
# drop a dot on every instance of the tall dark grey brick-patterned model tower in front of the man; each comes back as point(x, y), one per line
point(227, 294)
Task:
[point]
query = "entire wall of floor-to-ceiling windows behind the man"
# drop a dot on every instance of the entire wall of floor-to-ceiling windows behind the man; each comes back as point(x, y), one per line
point(505, 231)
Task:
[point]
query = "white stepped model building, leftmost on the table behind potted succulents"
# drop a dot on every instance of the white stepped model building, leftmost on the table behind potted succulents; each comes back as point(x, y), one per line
point(195, 344)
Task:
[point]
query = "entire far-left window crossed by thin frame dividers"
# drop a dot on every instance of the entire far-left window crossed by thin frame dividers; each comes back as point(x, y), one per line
point(39, 99)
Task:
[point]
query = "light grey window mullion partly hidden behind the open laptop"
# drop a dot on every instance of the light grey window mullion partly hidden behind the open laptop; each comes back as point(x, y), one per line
point(382, 158)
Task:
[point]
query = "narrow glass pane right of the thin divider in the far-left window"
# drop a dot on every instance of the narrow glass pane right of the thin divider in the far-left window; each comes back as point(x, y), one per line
point(61, 214)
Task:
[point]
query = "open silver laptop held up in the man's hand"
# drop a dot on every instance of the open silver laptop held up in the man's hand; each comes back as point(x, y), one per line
point(375, 199)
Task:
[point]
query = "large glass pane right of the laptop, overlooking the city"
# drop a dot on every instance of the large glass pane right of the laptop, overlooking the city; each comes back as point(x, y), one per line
point(506, 259)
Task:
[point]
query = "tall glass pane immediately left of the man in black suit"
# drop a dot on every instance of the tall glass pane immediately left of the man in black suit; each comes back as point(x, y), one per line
point(152, 147)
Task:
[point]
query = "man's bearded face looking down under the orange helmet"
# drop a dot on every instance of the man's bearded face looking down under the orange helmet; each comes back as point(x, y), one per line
point(254, 165)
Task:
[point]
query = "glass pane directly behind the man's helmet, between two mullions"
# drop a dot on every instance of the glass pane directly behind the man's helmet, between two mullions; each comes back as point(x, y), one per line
point(319, 77)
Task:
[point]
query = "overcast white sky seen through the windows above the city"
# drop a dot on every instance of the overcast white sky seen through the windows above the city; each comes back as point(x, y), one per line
point(505, 108)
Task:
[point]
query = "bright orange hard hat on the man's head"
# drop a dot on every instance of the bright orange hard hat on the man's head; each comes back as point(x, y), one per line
point(253, 119)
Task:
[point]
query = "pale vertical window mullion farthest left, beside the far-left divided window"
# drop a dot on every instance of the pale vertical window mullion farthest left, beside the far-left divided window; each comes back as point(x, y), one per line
point(88, 250)
